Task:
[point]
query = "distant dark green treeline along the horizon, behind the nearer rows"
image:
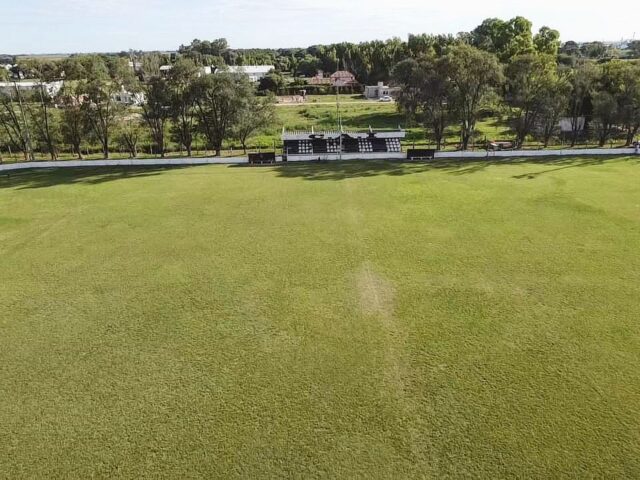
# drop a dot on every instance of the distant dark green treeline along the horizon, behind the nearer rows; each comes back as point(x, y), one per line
point(372, 61)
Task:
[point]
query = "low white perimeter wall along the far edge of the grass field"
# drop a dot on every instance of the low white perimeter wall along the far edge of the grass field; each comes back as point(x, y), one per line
point(325, 157)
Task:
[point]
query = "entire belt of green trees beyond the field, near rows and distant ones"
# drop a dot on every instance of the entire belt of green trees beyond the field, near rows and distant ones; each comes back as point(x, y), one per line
point(500, 69)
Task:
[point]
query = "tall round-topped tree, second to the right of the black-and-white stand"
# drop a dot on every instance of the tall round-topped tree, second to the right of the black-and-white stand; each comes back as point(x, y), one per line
point(474, 74)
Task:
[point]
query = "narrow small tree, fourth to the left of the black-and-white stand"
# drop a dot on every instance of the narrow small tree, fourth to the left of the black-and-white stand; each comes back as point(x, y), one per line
point(156, 110)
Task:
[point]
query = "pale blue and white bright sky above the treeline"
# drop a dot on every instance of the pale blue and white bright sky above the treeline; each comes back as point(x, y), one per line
point(68, 26)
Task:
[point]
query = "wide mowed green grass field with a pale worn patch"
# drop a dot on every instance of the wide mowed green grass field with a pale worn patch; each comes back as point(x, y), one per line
point(322, 320)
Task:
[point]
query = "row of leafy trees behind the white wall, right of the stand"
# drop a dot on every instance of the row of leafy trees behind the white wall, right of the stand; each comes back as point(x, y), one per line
point(462, 83)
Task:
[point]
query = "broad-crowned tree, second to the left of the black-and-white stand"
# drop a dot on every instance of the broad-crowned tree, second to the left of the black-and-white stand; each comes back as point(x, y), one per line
point(219, 101)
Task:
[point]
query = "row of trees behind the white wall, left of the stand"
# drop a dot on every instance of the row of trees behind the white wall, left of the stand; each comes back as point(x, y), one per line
point(177, 107)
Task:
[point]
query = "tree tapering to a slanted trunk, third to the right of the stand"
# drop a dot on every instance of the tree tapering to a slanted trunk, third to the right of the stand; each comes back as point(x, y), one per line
point(529, 77)
